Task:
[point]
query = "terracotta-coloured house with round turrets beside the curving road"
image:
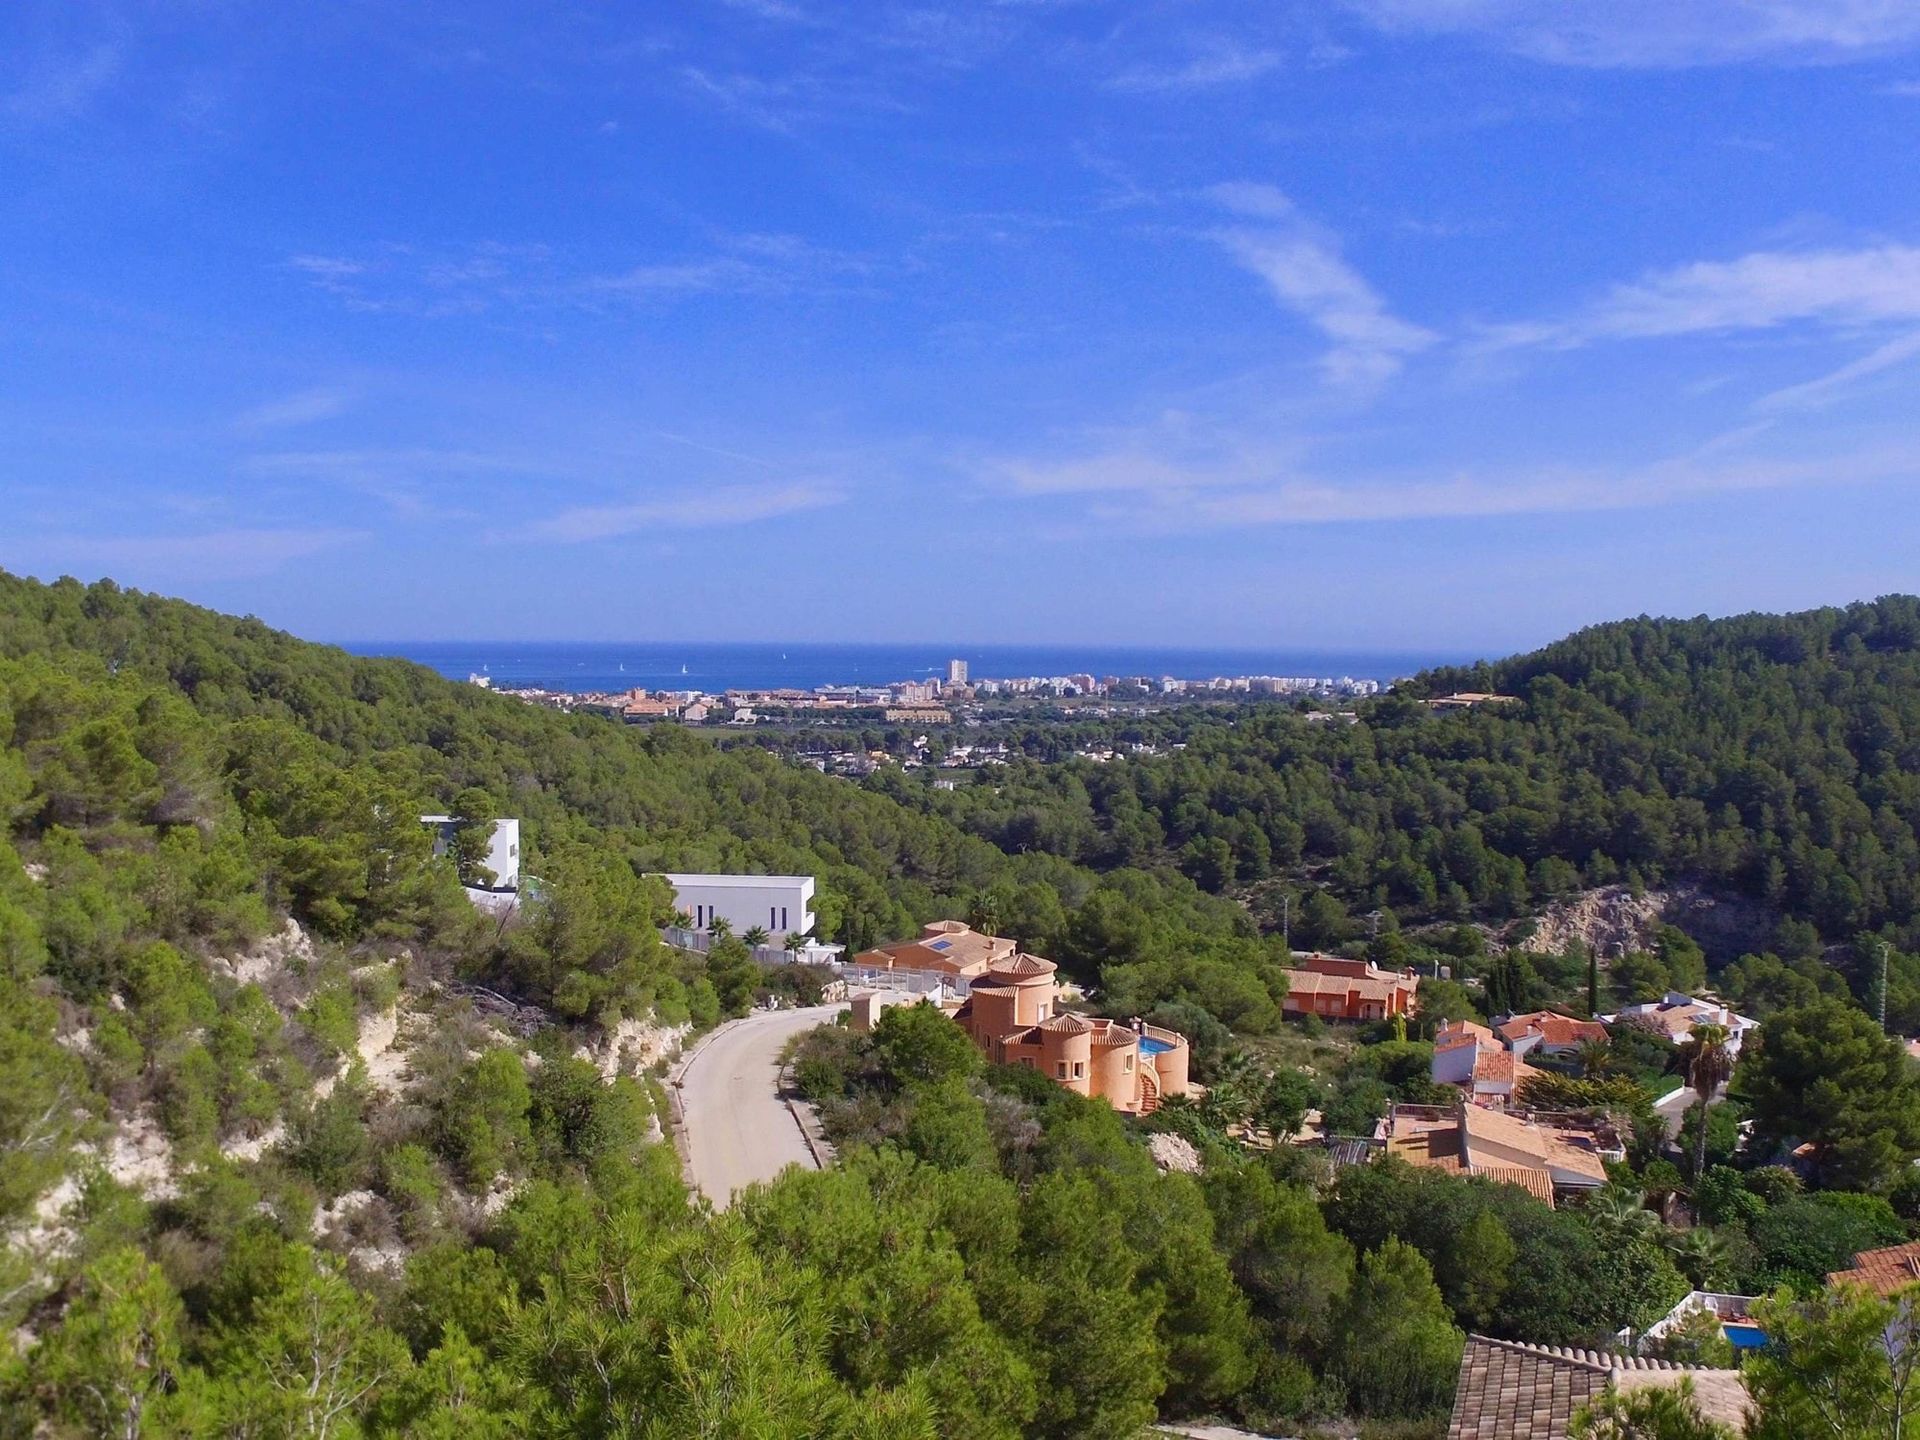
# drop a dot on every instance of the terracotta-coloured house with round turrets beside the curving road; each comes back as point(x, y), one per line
point(1013, 1015)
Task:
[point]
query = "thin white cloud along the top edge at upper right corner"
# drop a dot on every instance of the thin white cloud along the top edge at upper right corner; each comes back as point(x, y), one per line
point(1664, 34)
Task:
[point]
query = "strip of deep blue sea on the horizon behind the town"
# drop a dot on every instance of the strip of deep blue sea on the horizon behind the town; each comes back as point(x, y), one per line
point(654, 665)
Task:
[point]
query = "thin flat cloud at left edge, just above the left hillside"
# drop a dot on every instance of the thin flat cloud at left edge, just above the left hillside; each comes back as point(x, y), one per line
point(239, 554)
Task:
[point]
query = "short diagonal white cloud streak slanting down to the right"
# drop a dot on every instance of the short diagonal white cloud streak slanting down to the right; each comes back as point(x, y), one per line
point(1301, 264)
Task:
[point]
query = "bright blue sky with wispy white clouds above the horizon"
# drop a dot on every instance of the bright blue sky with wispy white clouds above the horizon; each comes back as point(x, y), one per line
point(1347, 324)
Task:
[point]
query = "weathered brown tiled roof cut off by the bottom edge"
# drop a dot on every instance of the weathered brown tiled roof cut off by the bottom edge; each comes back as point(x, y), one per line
point(1512, 1391)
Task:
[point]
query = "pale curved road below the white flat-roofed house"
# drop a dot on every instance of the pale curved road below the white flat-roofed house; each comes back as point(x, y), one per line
point(736, 1126)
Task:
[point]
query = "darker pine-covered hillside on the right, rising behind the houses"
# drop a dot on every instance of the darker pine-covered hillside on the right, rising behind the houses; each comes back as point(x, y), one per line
point(1775, 757)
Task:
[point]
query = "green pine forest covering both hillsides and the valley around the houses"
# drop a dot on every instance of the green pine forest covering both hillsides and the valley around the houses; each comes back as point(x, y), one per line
point(214, 888)
